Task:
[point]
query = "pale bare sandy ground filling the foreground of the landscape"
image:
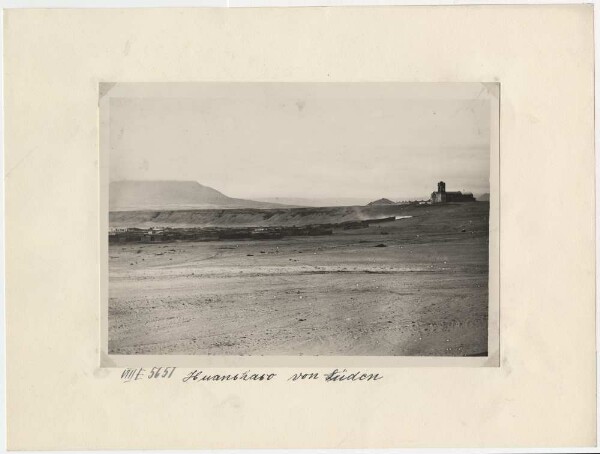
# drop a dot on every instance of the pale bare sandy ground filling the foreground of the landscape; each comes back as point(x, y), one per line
point(424, 293)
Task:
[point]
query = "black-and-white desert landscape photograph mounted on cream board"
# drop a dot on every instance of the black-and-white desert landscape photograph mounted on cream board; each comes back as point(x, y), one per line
point(298, 219)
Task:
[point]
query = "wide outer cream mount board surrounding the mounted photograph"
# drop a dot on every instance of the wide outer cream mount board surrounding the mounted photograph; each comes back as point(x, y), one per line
point(543, 391)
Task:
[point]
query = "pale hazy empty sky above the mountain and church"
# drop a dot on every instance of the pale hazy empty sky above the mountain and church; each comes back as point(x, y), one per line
point(304, 140)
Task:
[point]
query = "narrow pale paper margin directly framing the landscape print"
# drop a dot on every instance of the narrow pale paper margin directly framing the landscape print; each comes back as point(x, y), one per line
point(489, 91)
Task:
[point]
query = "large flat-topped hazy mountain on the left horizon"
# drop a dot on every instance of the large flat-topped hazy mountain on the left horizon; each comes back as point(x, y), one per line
point(174, 195)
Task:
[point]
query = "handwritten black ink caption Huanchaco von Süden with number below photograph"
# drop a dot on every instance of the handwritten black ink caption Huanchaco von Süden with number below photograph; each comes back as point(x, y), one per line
point(168, 373)
